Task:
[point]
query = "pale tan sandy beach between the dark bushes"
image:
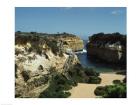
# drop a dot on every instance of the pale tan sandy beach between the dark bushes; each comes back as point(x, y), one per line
point(84, 90)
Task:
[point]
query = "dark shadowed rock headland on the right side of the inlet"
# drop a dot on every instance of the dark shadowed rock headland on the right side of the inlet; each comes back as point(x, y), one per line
point(108, 48)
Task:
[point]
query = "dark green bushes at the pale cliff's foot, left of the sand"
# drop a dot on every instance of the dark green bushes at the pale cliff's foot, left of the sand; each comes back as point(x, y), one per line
point(60, 84)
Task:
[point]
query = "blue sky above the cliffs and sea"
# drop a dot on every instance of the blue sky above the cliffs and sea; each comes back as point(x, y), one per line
point(82, 21)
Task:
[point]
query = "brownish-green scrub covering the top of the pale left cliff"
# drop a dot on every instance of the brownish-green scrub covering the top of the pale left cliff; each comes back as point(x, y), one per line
point(37, 40)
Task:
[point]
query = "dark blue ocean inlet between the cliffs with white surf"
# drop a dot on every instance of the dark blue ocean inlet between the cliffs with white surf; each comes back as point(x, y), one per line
point(99, 67)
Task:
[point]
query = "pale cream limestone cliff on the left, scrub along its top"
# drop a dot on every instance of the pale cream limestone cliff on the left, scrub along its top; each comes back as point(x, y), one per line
point(37, 58)
